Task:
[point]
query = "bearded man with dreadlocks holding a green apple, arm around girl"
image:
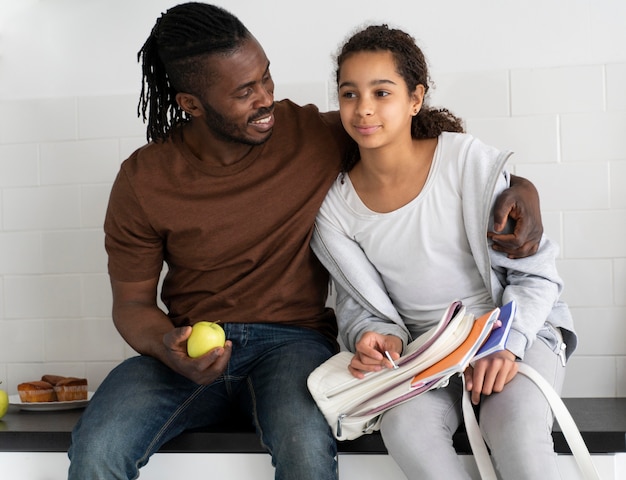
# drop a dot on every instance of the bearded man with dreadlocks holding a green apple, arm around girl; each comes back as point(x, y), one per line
point(226, 195)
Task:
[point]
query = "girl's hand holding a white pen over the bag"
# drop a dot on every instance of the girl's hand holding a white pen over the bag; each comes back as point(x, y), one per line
point(370, 353)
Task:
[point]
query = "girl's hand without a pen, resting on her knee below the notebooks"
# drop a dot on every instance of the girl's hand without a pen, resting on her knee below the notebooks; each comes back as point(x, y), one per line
point(490, 374)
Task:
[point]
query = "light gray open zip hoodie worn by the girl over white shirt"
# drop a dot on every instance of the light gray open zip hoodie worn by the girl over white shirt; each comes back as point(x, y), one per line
point(362, 302)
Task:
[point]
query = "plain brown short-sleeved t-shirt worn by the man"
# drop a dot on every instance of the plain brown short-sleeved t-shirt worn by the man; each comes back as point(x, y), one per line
point(235, 238)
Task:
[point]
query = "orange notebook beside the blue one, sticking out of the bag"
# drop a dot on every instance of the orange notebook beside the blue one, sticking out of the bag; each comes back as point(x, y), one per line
point(459, 359)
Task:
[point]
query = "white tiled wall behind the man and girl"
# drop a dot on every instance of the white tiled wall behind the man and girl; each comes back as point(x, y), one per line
point(58, 158)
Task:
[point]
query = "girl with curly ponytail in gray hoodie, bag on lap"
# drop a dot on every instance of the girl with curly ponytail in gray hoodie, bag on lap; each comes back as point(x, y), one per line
point(395, 274)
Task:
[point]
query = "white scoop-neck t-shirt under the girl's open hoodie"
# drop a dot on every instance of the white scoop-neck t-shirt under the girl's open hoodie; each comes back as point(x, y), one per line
point(418, 248)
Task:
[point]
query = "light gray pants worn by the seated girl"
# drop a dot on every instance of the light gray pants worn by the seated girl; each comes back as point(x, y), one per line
point(516, 424)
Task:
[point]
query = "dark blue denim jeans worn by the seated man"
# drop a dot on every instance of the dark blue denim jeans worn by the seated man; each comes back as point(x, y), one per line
point(142, 404)
